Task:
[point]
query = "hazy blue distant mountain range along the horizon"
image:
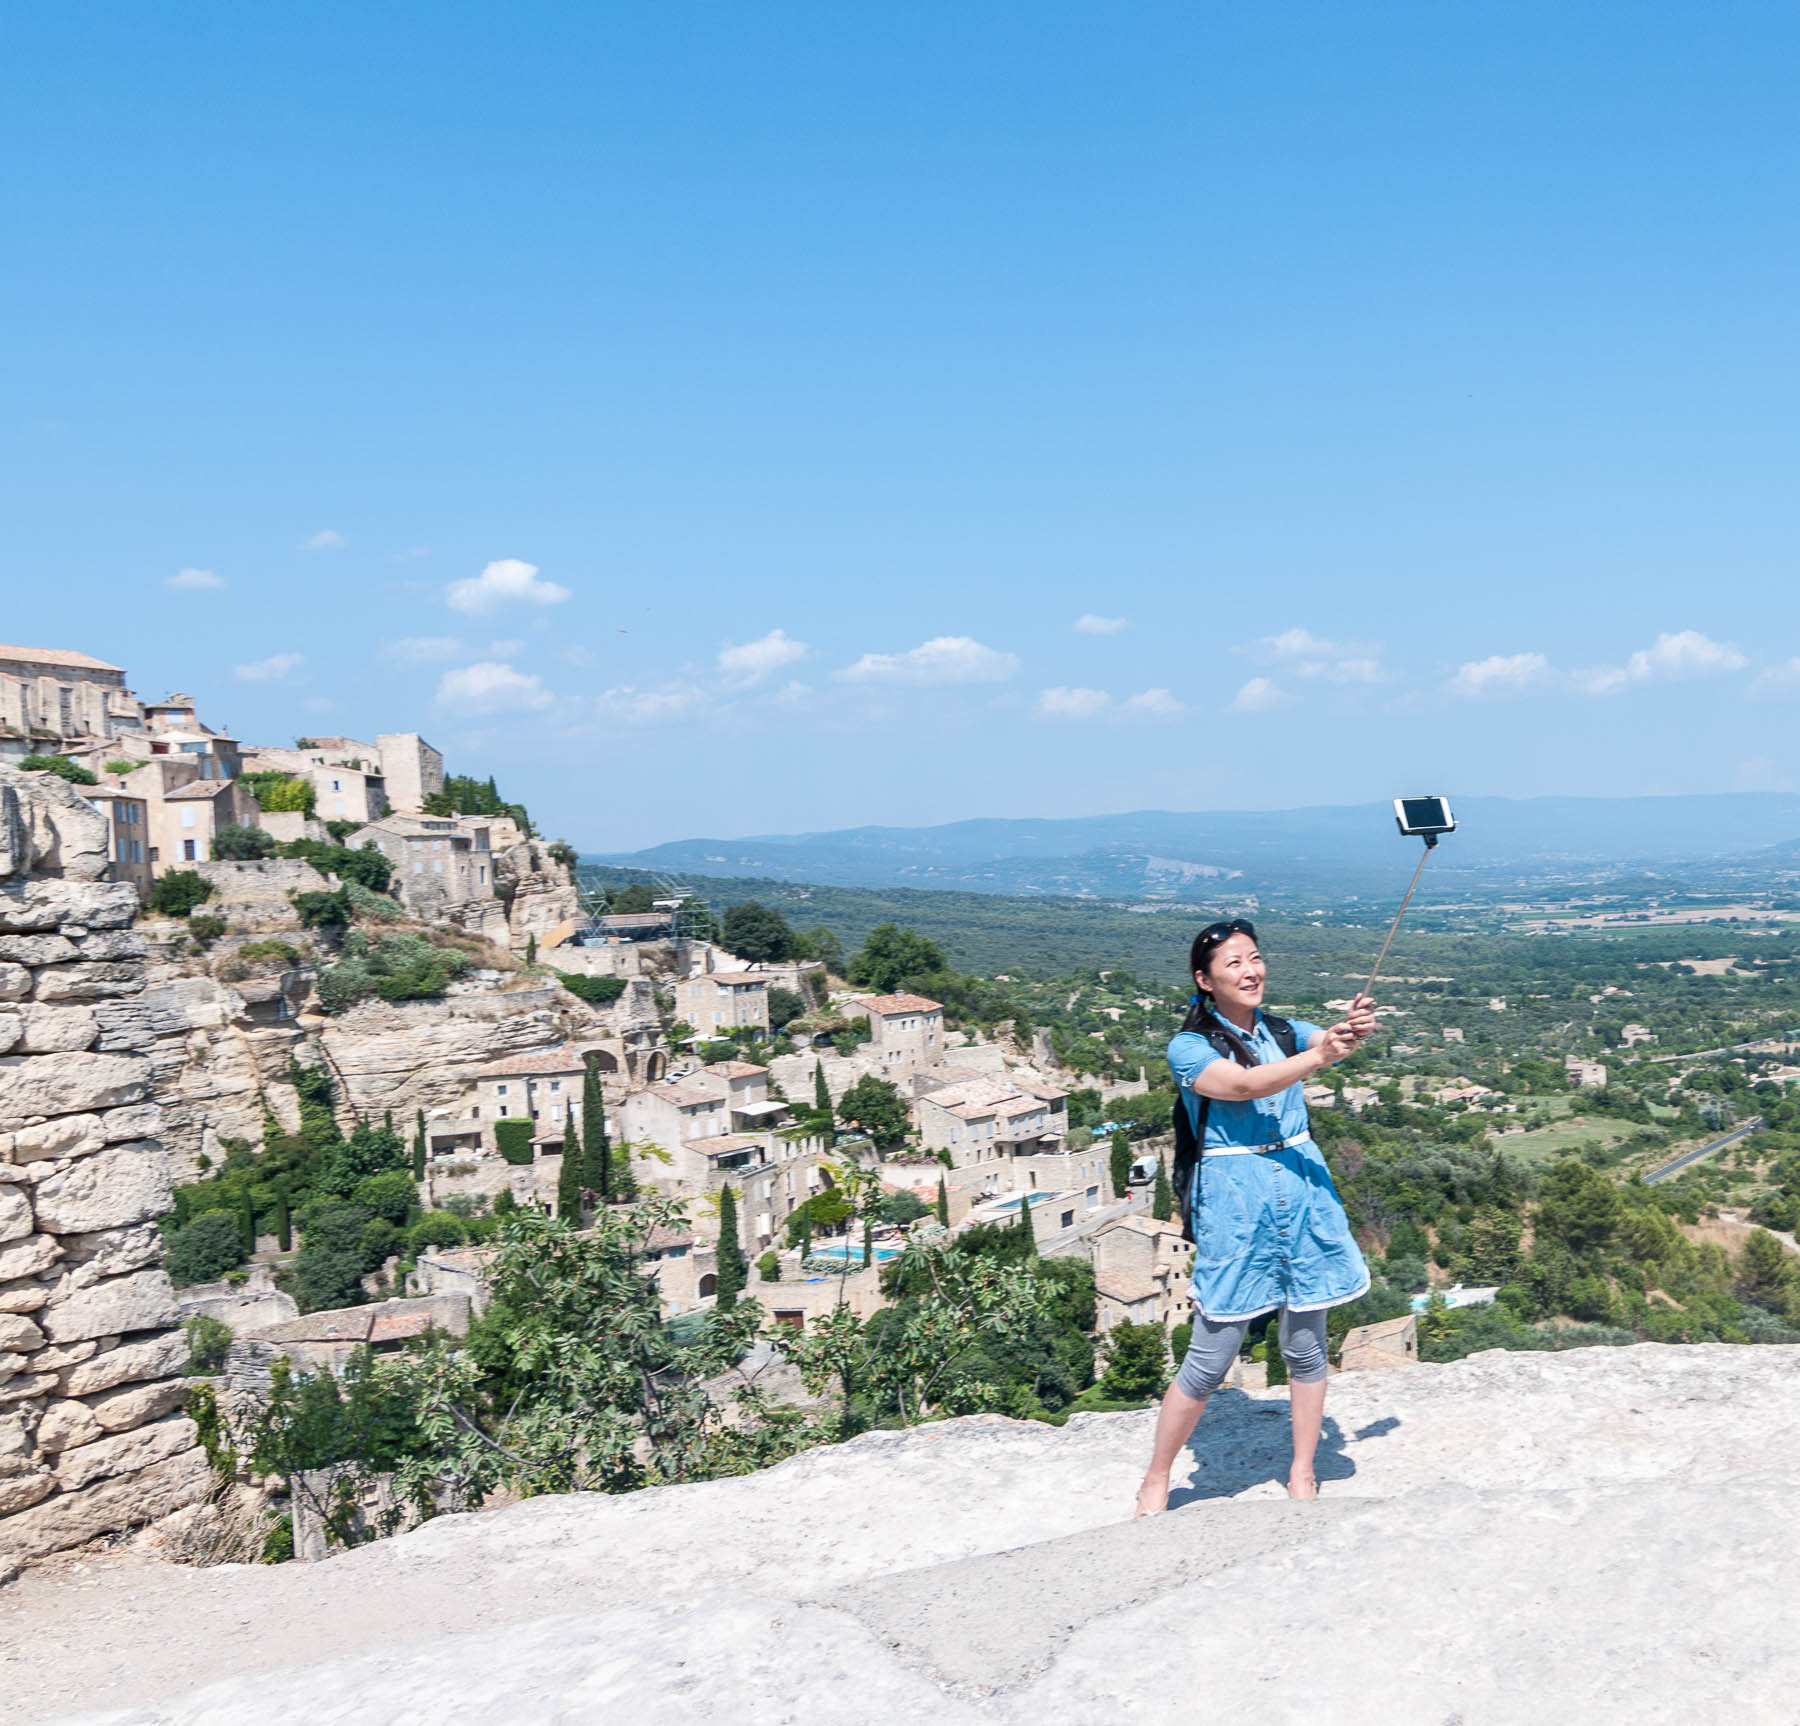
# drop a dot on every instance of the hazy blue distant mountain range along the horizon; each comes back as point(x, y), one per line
point(1221, 856)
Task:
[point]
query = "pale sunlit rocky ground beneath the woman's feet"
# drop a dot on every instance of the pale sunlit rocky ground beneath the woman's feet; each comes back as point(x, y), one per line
point(1599, 1536)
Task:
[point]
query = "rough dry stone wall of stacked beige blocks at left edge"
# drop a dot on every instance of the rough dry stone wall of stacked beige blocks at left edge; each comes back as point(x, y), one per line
point(93, 1435)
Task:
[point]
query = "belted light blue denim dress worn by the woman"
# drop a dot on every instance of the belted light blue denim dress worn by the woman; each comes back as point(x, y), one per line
point(1270, 1228)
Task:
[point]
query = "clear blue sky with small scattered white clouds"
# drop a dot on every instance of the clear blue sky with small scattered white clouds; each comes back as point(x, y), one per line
point(721, 420)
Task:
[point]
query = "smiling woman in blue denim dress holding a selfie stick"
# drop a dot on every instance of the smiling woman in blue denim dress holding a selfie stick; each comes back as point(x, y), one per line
point(1270, 1234)
